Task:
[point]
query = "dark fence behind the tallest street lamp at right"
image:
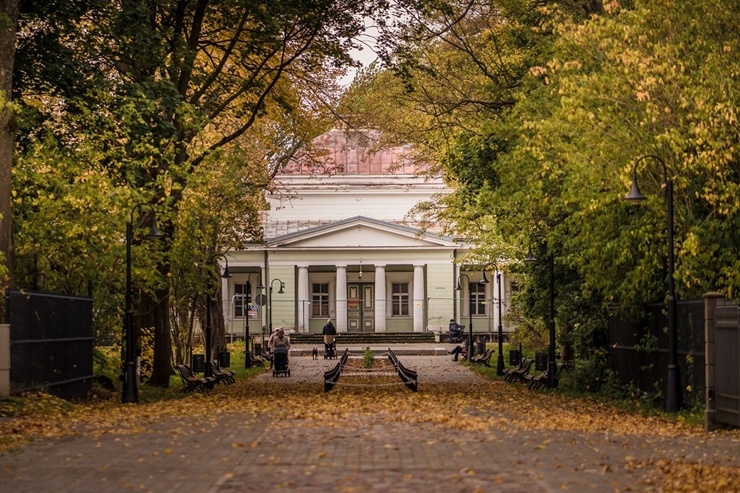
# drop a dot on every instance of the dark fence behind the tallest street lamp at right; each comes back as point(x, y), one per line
point(639, 350)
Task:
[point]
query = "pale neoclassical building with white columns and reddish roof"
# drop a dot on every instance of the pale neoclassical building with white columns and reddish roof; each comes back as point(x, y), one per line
point(336, 246)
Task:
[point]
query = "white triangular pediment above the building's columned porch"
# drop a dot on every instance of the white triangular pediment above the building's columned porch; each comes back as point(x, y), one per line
point(360, 232)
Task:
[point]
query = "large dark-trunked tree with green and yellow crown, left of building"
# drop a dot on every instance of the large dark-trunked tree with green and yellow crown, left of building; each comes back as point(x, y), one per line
point(163, 86)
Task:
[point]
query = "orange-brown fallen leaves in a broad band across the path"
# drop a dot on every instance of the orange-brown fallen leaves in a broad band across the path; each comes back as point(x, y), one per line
point(489, 409)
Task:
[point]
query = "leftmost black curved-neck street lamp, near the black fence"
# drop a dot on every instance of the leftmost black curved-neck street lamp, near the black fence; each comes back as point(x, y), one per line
point(130, 385)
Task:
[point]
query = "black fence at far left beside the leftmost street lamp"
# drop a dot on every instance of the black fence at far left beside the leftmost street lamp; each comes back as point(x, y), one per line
point(51, 344)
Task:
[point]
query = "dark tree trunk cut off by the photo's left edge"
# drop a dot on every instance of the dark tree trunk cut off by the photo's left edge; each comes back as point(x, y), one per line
point(8, 30)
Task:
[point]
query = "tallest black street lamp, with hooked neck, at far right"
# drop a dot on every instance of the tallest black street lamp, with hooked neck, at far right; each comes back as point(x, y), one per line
point(673, 391)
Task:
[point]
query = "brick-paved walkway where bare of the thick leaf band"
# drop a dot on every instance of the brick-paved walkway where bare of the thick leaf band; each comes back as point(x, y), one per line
point(252, 451)
